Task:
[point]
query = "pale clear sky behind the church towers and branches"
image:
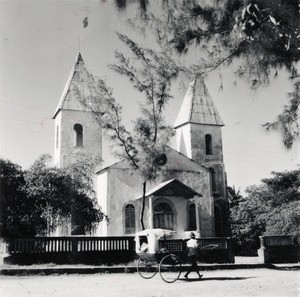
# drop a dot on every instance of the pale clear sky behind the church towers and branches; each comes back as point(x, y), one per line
point(39, 41)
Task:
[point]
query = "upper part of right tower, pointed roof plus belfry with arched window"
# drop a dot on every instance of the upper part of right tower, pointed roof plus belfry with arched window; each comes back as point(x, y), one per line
point(198, 125)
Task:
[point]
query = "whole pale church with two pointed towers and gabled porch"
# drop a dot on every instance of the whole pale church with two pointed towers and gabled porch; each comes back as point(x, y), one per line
point(189, 193)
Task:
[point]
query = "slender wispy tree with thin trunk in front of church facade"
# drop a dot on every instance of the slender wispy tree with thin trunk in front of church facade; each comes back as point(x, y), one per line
point(150, 73)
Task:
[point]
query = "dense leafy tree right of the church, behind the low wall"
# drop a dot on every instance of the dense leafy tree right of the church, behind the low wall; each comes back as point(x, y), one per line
point(272, 208)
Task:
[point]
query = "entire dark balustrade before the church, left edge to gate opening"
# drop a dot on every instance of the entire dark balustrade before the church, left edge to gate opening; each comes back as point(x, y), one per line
point(103, 250)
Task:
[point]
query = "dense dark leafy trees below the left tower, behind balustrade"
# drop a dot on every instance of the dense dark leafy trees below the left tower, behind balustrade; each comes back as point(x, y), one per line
point(34, 202)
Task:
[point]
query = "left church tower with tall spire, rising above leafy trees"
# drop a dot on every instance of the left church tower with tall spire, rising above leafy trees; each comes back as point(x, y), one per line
point(76, 131)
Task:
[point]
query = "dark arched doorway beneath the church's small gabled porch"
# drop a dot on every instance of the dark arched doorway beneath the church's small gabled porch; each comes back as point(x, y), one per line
point(163, 216)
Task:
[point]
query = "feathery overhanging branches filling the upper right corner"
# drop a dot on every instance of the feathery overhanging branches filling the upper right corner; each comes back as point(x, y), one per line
point(257, 38)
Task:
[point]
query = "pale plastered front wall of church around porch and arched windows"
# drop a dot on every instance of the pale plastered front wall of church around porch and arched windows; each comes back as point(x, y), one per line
point(125, 186)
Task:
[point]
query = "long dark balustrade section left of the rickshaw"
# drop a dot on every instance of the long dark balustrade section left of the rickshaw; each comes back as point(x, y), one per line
point(77, 249)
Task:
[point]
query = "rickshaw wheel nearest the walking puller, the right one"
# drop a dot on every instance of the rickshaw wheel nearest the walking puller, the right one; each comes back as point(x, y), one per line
point(170, 268)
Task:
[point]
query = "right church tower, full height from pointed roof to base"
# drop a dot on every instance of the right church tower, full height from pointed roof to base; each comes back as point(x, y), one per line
point(199, 137)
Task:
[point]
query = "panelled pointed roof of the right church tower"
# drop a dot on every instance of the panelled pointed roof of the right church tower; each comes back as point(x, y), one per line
point(198, 106)
